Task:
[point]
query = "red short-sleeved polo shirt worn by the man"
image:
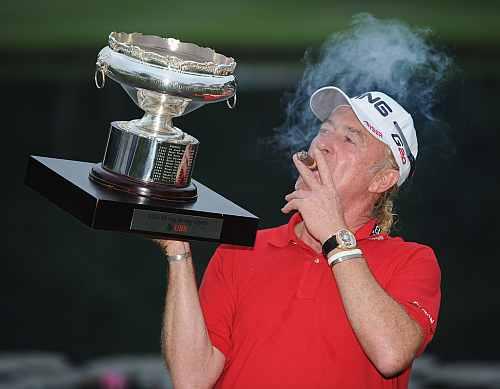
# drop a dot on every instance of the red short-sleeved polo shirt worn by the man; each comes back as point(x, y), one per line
point(276, 314)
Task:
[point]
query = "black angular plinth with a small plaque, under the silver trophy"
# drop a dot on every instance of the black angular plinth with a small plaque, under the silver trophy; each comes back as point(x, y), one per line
point(210, 218)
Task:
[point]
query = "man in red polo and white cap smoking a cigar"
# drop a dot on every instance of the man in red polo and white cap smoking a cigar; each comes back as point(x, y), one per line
point(329, 300)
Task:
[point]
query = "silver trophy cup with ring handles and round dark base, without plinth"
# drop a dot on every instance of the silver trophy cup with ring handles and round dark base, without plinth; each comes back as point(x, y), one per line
point(166, 78)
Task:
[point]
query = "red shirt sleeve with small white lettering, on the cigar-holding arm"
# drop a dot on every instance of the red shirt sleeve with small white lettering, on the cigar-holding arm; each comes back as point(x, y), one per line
point(416, 285)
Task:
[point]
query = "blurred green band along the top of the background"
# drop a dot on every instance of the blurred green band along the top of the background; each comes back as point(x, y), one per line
point(279, 23)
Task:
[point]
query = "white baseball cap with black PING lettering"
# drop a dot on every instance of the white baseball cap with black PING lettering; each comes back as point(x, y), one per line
point(381, 115)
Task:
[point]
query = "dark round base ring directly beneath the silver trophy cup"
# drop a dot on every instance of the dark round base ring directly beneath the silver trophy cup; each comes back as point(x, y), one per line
point(123, 183)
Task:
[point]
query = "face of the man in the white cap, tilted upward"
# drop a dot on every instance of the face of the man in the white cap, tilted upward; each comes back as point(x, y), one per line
point(350, 151)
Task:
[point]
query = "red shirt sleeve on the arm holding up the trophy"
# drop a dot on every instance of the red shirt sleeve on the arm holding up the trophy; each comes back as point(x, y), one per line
point(217, 299)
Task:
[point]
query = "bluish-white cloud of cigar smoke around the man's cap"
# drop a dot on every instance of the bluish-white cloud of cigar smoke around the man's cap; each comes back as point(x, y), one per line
point(373, 54)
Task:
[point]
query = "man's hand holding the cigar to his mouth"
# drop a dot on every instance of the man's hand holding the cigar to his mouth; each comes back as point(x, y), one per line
point(320, 206)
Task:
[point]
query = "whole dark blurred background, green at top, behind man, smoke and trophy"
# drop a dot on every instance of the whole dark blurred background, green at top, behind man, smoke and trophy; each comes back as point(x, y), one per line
point(80, 304)
